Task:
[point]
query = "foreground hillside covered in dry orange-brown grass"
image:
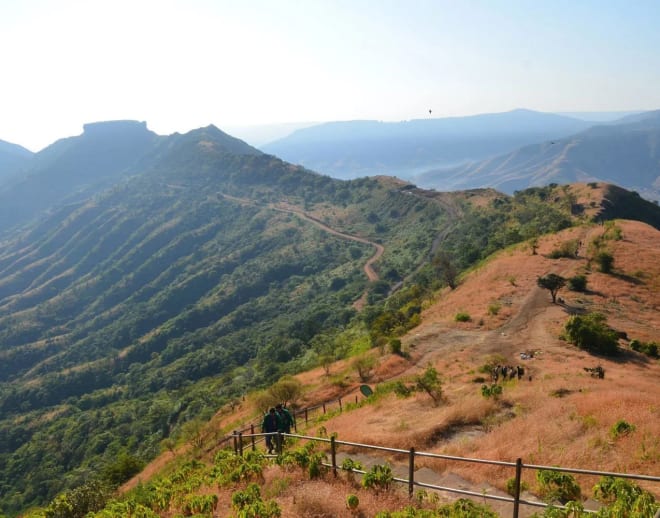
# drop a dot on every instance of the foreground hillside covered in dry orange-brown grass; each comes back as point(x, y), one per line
point(557, 414)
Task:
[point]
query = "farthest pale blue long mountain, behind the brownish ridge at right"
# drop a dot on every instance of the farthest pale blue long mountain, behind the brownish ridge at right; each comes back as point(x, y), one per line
point(353, 149)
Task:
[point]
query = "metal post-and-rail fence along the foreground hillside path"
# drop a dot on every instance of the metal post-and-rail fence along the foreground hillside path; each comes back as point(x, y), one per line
point(403, 463)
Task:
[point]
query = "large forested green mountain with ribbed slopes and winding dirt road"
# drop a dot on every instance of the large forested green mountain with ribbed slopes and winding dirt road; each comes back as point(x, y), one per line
point(129, 315)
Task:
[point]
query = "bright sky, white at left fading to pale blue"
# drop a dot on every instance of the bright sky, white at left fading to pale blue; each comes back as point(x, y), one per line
point(184, 64)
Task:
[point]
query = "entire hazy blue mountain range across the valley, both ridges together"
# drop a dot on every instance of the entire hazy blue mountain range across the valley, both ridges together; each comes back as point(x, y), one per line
point(507, 151)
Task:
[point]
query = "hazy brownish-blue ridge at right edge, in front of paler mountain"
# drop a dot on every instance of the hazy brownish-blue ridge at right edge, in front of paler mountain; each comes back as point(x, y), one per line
point(626, 153)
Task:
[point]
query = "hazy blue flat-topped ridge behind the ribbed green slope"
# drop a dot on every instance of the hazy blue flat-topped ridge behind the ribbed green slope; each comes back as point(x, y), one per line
point(75, 168)
